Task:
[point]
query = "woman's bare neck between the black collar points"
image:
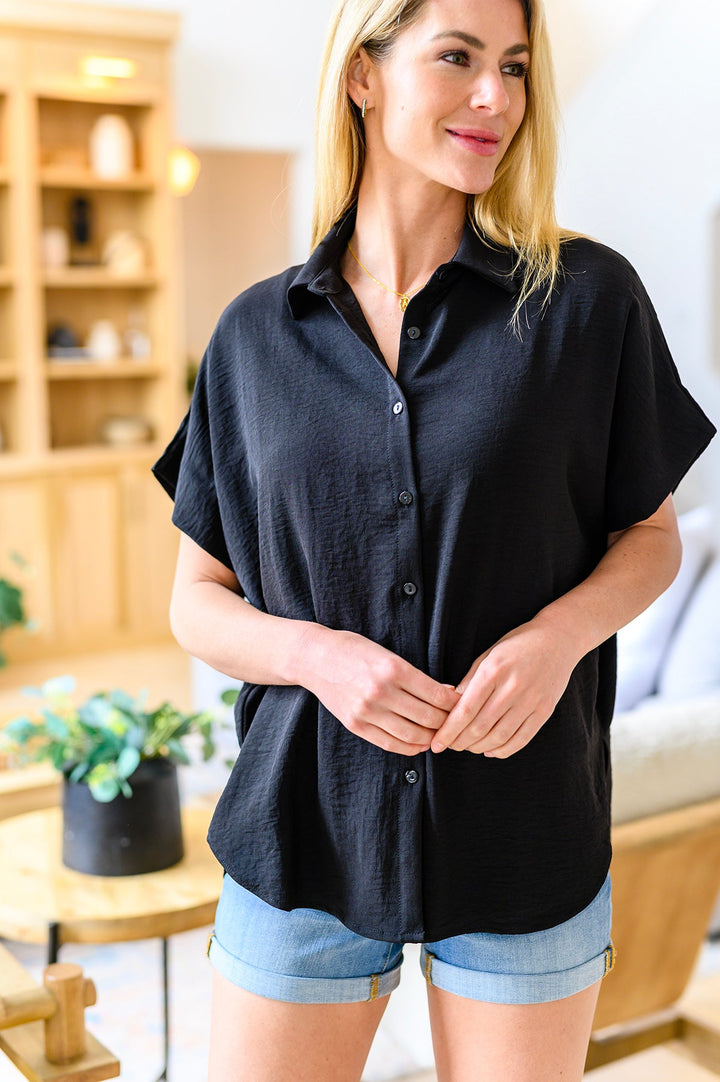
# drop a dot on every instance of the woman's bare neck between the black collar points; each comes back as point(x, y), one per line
point(401, 236)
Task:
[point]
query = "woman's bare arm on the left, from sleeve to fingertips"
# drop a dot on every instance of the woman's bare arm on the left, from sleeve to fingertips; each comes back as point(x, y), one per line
point(374, 693)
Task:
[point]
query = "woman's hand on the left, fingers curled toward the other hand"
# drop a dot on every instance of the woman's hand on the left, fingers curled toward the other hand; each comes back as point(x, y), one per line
point(373, 692)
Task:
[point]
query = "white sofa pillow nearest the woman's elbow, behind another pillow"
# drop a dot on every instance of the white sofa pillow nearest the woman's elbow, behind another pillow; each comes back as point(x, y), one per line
point(643, 644)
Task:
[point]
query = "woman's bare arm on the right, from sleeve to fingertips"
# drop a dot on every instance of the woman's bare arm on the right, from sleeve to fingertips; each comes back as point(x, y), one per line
point(514, 689)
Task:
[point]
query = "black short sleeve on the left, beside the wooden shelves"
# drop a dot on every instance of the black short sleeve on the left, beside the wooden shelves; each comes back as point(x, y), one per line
point(187, 470)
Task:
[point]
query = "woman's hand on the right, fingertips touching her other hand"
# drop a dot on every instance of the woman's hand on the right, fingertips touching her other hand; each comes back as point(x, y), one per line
point(510, 693)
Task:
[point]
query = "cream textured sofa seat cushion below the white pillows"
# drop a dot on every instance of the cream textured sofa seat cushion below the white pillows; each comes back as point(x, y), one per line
point(665, 756)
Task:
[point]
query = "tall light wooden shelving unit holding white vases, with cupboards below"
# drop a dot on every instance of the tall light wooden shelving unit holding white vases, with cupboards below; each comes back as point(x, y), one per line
point(86, 517)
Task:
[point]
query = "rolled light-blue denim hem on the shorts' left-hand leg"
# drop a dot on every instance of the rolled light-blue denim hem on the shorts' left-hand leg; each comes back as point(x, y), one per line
point(293, 989)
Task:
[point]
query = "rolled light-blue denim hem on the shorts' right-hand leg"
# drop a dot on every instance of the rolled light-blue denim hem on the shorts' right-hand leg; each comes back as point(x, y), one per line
point(516, 988)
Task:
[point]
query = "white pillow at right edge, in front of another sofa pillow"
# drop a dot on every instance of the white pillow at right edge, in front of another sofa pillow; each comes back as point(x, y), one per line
point(692, 665)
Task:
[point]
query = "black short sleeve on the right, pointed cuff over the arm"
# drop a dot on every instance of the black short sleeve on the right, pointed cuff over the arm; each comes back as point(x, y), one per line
point(658, 428)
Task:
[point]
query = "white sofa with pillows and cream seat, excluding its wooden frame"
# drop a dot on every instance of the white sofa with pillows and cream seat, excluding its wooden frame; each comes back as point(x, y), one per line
point(666, 731)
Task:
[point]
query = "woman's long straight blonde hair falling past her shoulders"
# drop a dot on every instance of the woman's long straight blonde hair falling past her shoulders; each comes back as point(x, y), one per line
point(518, 212)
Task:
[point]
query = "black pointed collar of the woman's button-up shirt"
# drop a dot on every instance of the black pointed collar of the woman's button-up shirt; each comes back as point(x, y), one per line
point(321, 274)
